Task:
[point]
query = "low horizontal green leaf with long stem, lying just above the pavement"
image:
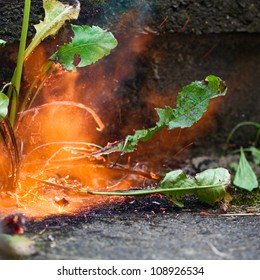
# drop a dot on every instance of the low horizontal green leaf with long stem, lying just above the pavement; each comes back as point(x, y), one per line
point(209, 186)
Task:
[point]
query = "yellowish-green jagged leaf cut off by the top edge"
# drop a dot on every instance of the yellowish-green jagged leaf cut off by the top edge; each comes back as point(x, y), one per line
point(56, 13)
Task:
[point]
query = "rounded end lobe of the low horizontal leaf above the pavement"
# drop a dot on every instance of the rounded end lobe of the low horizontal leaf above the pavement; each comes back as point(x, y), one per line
point(218, 178)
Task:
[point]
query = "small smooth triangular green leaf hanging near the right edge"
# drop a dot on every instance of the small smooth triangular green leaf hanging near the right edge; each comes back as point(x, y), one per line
point(245, 177)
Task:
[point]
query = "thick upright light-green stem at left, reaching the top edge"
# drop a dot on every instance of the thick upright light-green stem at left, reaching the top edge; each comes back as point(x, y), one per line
point(16, 80)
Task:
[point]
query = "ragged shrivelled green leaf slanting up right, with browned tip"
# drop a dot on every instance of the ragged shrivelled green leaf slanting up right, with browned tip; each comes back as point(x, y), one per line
point(192, 102)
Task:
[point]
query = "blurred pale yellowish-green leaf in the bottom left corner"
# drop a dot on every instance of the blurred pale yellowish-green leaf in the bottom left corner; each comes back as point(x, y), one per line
point(14, 246)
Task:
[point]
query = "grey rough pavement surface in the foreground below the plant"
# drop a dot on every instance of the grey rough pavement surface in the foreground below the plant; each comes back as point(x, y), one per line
point(149, 228)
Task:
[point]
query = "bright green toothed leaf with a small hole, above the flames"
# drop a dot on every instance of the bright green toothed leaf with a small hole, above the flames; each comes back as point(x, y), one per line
point(89, 43)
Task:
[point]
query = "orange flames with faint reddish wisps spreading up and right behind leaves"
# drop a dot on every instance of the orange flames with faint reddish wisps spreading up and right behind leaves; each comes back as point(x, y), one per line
point(73, 114)
